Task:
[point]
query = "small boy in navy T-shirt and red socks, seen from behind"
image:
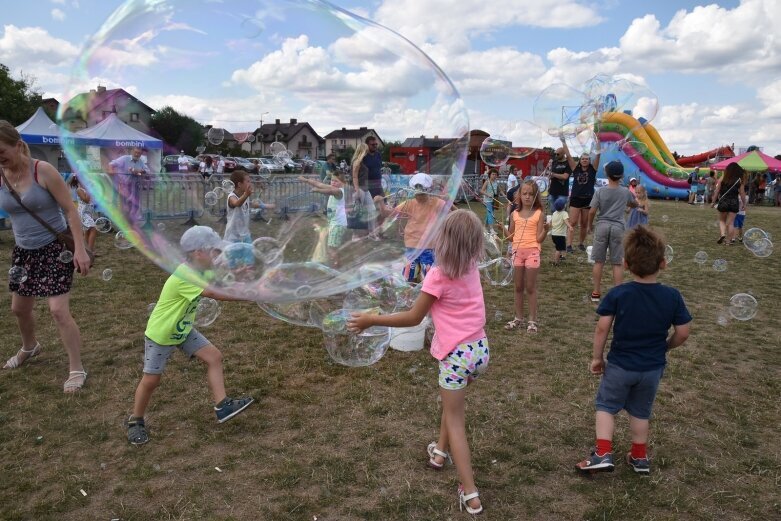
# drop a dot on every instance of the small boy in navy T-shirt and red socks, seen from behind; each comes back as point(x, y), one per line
point(641, 313)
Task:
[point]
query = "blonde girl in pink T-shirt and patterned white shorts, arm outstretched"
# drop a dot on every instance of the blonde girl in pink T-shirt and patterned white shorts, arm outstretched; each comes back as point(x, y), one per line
point(453, 294)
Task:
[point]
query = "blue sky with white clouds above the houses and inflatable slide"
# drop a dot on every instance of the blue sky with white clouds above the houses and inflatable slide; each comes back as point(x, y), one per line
point(715, 68)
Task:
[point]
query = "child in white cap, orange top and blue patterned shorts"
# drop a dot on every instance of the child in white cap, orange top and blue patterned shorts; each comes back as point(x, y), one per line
point(419, 212)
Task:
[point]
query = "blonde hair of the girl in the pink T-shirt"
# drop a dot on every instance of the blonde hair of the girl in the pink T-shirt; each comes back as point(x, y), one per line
point(459, 245)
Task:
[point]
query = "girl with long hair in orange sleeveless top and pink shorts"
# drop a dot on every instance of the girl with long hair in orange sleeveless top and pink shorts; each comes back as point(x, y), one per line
point(527, 231)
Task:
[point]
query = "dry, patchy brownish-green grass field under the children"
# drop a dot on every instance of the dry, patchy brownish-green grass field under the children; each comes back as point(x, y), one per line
point(326, 442)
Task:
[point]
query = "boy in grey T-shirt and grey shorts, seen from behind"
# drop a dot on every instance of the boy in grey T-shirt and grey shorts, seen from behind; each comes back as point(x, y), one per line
point(610, 202)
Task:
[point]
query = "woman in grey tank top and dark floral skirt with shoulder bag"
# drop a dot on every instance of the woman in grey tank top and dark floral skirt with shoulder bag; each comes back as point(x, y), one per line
point(36, 268)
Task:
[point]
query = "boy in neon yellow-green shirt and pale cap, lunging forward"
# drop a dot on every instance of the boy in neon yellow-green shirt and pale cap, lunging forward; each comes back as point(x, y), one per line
point(171, 326)
